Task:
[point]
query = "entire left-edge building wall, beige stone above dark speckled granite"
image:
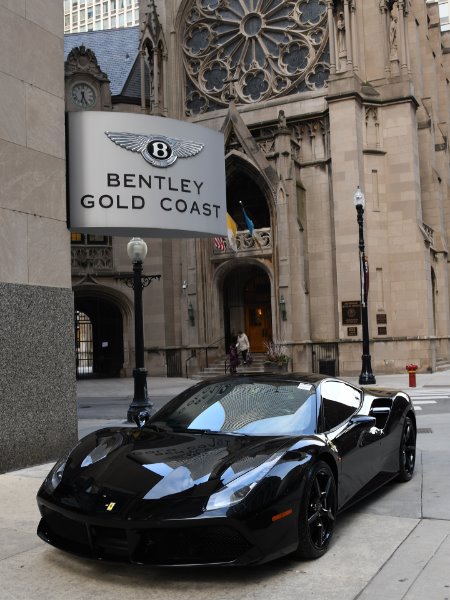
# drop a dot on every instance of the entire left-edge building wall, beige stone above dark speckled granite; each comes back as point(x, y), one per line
point(37, 382)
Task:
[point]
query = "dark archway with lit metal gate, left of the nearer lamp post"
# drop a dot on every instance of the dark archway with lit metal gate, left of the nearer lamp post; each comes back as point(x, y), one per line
point(98, 337)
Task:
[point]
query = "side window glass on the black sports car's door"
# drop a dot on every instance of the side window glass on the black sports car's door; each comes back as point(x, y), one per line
point(339, 402)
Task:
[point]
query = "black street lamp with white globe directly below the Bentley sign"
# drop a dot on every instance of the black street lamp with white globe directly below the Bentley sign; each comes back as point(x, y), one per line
point(137, 251)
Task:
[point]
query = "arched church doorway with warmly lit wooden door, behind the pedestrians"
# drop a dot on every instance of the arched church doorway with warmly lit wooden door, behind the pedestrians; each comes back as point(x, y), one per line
point(247, 305)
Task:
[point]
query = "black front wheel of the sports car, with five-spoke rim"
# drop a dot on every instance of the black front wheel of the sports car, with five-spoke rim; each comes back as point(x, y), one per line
point(317, 512)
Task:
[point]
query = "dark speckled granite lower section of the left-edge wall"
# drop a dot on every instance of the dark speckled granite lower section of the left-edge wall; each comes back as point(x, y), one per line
point(39, 419)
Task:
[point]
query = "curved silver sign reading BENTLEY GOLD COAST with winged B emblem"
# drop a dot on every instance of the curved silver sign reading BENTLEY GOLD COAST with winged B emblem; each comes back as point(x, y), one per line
point(131, 173)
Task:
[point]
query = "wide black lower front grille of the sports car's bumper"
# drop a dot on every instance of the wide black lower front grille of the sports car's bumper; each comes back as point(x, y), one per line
point(187, 545)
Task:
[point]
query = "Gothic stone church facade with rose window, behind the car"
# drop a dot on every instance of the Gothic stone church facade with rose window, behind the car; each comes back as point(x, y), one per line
point(315, 98)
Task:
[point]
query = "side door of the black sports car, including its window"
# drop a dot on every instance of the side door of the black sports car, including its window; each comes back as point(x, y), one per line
point(354, 437)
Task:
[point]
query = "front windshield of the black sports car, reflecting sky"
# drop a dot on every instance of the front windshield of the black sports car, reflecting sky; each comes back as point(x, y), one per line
point(247, 407)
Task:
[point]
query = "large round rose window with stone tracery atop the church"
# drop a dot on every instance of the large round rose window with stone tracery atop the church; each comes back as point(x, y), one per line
point(253, 50)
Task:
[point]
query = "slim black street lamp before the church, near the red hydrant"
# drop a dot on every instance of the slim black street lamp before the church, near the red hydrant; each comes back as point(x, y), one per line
point(366, 376)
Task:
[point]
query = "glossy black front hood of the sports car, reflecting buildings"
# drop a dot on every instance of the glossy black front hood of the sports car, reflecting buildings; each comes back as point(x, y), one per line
point(154, 466)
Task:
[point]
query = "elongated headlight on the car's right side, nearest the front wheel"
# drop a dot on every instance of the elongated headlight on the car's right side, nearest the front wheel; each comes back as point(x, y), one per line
point(239, 488)
